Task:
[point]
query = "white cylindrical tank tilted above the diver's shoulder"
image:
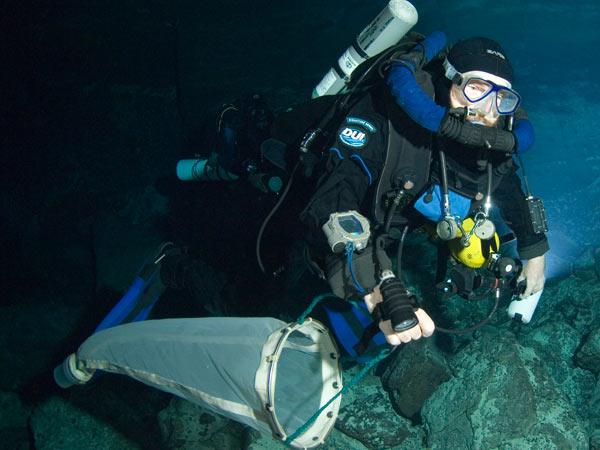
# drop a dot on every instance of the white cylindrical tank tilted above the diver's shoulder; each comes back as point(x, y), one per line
point(390, 25)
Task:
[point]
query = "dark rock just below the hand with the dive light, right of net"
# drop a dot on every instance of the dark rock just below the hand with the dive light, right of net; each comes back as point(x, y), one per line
point(414, 373)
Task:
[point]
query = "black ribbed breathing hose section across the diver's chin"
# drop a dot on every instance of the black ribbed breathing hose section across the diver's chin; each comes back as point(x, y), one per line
point(474, 135)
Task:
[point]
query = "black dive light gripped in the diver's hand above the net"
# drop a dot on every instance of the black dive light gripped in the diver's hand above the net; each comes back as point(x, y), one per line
point(398, 305)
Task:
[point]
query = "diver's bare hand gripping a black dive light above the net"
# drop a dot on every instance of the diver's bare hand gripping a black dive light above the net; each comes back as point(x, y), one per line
point(390, 302)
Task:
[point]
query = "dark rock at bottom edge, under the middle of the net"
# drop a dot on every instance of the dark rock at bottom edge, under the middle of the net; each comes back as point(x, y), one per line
point(185, 426)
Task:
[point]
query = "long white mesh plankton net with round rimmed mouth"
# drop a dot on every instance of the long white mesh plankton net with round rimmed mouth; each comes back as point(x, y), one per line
point(262, 372)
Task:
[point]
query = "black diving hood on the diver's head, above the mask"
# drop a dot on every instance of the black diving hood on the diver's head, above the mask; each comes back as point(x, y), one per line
point(479, 53)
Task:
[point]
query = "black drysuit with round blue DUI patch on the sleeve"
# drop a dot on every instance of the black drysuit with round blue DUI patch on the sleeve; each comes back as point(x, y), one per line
point(359, 155)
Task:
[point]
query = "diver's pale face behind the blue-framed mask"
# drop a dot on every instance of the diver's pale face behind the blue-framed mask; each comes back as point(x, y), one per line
point(486, 110)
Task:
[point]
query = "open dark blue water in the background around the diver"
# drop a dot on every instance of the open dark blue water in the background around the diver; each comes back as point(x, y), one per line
point(99, 100)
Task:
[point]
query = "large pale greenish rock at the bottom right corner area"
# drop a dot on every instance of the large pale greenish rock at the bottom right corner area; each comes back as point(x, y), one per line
point(501, 397)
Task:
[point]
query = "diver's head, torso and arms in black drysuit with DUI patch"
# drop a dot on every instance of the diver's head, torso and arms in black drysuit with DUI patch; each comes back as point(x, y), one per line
point(400, 159)
